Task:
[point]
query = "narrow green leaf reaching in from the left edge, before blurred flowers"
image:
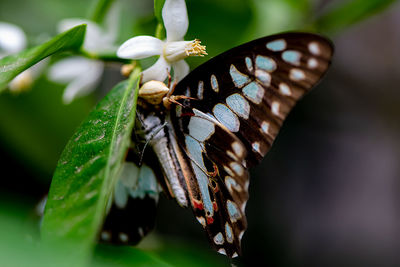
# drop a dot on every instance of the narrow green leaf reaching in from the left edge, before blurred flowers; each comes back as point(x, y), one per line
point(13, 65)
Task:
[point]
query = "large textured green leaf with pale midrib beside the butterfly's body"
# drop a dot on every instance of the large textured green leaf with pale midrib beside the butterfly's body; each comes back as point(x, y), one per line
point(86, 172)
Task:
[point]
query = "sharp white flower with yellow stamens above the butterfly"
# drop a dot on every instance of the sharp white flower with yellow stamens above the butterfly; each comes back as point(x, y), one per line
point(172, 51)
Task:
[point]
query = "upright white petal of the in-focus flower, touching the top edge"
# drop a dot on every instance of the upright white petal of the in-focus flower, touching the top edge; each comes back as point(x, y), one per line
point(175, 19)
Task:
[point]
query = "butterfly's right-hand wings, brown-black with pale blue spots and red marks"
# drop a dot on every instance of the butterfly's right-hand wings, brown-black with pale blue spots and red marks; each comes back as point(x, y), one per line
point(242, 97)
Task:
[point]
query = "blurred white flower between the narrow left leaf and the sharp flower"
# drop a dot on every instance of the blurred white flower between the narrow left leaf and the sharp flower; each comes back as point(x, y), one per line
point(81, 74)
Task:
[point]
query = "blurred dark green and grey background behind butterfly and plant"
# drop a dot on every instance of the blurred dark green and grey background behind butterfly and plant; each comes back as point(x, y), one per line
point(328, 192)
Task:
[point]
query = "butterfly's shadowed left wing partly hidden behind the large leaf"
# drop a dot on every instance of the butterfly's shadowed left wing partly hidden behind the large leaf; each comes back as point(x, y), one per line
point(133, 207)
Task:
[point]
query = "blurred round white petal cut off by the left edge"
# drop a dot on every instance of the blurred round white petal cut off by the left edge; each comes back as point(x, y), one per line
point(12, 38)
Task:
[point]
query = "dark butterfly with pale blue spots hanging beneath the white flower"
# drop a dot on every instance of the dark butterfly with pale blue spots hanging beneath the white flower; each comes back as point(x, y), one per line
point(203, 145)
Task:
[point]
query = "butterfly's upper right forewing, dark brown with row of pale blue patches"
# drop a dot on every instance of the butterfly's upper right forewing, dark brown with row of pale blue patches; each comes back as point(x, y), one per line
point(251, 88)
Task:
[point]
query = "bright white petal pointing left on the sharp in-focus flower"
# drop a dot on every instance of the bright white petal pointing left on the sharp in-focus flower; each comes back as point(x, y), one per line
point(140, 47)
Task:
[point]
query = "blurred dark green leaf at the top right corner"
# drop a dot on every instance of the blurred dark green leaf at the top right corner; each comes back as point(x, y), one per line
point(344, 15)
